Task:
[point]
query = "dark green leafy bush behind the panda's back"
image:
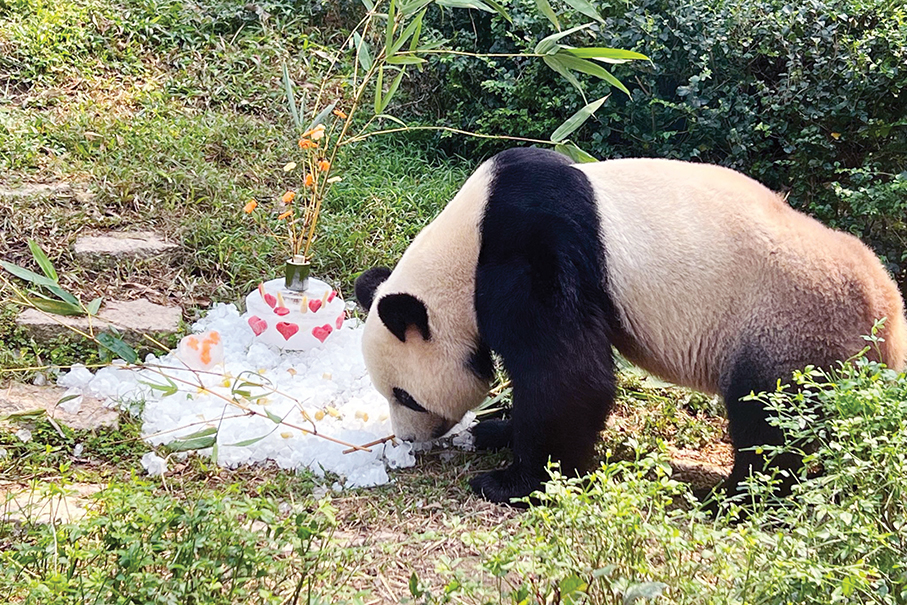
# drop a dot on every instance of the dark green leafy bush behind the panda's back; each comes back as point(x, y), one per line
point(806, 97)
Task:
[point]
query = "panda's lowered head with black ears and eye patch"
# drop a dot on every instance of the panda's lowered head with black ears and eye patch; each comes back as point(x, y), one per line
point(430, 375)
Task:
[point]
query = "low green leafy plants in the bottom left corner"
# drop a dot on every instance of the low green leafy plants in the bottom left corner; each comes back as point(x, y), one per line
point(140, 546)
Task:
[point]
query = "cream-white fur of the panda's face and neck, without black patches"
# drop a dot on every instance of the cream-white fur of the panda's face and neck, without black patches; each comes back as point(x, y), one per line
point(439, 269)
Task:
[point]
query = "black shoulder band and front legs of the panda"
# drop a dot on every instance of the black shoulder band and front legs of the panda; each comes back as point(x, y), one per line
point(541, 304)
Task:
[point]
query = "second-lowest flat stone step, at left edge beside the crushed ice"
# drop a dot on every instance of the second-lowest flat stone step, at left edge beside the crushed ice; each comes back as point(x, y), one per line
point(17, 397)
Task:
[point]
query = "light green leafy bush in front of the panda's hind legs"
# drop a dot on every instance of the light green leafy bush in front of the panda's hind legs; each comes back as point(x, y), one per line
point(629, 532)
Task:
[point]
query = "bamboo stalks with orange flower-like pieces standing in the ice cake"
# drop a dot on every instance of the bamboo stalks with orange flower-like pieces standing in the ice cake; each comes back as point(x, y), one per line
point(371, 63)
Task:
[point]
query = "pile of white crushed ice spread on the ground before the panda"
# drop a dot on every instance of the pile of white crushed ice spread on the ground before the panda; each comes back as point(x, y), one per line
point(260, 403)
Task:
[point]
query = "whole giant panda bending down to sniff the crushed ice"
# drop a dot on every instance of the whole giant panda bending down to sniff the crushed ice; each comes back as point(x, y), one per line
point(694, 272)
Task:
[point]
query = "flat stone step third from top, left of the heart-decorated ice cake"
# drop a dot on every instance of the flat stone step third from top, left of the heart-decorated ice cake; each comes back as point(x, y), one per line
point(131, 318)
